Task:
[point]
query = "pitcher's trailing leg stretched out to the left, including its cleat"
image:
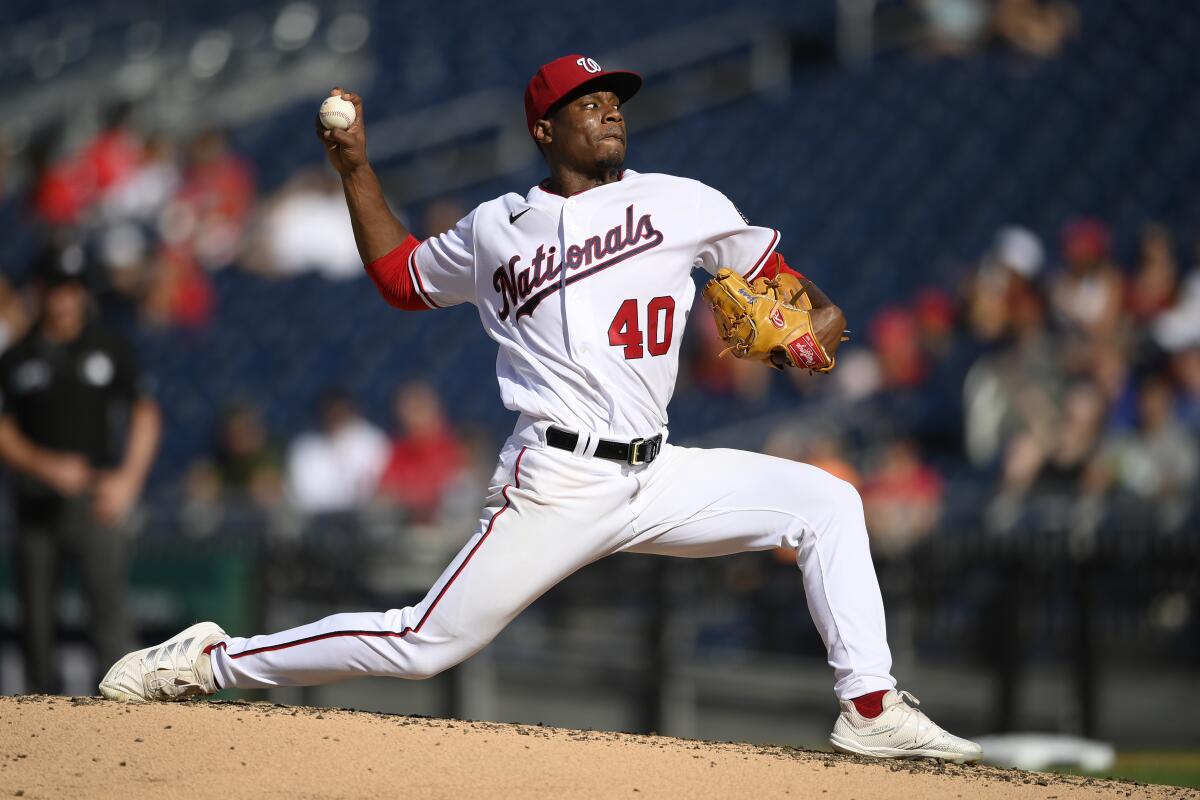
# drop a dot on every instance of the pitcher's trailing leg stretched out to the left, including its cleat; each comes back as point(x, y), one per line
point(527, 543)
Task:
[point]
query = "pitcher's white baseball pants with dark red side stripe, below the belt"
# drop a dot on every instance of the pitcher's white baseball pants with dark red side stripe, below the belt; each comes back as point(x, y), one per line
point(551, 513)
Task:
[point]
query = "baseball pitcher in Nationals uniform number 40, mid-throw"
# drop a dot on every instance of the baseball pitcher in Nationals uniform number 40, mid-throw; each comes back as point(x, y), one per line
point(585, 284)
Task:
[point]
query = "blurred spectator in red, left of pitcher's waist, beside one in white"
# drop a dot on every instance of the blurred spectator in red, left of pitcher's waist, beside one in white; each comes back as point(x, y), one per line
point(427, 460)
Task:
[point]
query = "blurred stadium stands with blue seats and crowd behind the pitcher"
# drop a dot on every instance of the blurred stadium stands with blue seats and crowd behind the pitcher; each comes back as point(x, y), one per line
point(1024, 429)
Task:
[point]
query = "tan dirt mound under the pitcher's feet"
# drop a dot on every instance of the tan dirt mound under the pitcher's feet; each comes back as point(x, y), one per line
point(87, 748)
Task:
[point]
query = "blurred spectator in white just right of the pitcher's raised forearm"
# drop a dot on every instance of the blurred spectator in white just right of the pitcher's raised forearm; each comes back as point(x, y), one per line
point(307, 230)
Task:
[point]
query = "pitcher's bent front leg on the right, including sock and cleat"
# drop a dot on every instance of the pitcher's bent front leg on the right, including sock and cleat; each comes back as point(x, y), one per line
point(718, 502)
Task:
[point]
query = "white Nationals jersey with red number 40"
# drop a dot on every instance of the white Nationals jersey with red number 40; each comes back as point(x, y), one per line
point(589, 296)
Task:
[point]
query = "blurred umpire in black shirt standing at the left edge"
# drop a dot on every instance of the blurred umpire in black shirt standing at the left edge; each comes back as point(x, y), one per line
point(79, 432)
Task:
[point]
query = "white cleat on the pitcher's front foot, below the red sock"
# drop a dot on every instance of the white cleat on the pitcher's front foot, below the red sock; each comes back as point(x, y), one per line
point(902, 731)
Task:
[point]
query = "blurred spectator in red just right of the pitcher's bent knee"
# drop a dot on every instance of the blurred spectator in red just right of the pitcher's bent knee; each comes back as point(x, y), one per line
point(902, 497)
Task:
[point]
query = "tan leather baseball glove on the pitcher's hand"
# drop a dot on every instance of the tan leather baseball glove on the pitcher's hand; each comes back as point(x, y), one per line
point(767, 321)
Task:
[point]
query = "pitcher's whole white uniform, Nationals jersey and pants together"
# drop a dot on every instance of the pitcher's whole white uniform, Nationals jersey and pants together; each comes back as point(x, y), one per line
point(587, 298)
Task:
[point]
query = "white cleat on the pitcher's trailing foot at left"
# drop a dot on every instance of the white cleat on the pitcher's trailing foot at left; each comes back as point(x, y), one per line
point(172, 671)
